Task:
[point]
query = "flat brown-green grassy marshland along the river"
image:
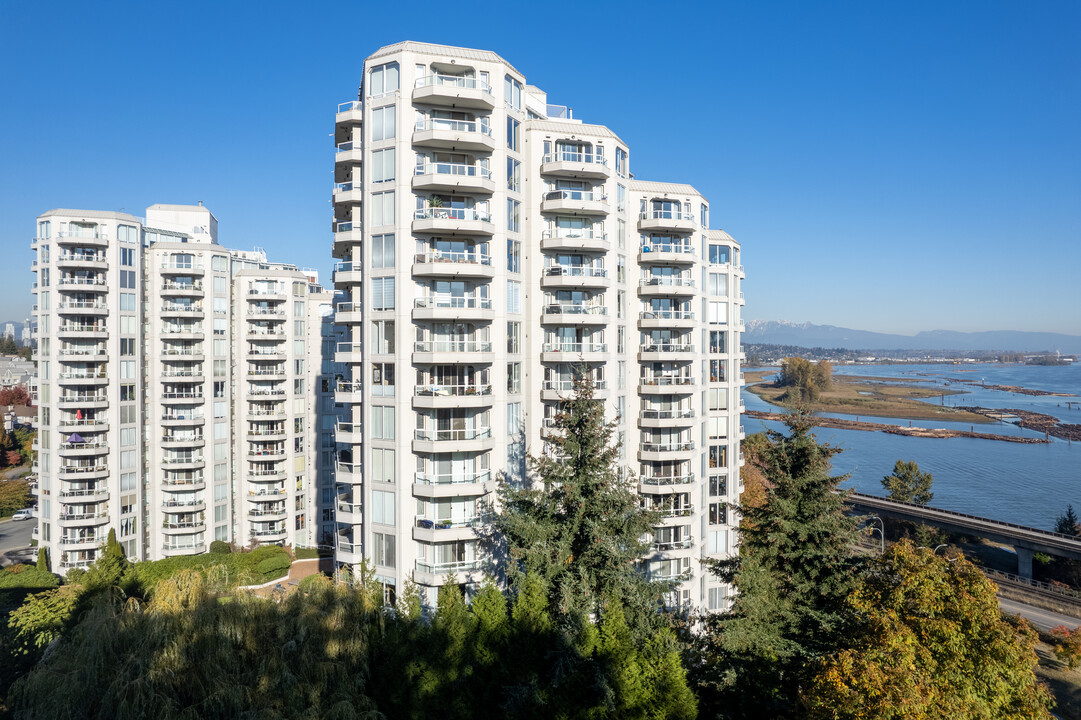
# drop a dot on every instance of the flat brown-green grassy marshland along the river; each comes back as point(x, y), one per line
point(882, 397)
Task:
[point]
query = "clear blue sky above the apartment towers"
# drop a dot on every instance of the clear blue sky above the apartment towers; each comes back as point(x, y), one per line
point(887, 166)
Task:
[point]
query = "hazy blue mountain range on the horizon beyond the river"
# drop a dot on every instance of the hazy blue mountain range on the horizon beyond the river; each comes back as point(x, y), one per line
point(806, 335)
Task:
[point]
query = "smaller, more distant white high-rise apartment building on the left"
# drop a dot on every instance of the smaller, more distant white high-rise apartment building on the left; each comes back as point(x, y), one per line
point(176, 388)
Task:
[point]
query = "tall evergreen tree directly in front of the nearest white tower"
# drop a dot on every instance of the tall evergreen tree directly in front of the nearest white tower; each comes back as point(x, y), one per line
point(580, 528)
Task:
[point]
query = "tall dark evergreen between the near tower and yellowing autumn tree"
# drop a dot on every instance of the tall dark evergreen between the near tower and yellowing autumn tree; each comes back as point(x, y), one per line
point(794, 574)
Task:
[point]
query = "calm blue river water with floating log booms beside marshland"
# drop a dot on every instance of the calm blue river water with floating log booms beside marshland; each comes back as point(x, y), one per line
point(1029, 485)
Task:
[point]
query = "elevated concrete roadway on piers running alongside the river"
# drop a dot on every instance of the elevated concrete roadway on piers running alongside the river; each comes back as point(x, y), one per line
point(1025, 541)
